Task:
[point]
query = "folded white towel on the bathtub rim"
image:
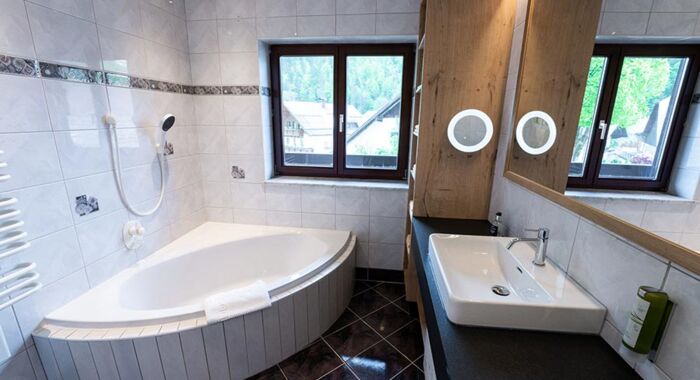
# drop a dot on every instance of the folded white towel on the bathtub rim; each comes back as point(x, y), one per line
point(240, 301)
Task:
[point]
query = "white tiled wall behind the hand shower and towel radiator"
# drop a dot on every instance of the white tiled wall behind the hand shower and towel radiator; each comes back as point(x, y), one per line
point(58, 149)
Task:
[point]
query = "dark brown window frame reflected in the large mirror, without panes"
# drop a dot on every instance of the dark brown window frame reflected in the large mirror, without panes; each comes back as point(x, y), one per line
point(615, 54)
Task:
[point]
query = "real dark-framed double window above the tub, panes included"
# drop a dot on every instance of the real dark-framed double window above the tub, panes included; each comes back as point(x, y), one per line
point(342, 110)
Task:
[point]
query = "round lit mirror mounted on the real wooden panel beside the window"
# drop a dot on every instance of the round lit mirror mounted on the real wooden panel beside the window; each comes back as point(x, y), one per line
point(470, 131)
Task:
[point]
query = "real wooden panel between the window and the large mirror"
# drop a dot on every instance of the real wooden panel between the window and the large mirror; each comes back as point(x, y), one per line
point(467, 46)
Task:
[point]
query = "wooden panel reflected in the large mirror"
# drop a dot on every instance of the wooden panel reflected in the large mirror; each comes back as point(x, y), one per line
point(557, 49)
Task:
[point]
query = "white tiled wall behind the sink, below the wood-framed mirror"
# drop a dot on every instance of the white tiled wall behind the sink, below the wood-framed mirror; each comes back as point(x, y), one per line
point(607, 266)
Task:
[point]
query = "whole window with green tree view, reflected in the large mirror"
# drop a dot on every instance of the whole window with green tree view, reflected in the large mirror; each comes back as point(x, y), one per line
point(634, 106)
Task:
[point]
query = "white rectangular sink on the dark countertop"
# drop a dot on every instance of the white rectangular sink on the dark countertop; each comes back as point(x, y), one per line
point(481, 283)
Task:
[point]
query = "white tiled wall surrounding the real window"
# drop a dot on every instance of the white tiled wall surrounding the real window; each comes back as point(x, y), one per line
point(227, 47)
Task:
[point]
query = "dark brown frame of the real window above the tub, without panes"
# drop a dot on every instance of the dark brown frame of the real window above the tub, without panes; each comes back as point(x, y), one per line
point(340, 52)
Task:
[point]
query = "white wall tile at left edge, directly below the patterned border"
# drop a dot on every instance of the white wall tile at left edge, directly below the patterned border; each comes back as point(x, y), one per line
point(22, 105)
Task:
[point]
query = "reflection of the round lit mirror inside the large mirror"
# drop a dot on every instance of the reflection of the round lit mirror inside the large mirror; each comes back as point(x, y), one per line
point(536, 132)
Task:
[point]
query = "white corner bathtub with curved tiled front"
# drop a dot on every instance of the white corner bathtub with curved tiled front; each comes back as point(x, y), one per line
point(153, 309)
